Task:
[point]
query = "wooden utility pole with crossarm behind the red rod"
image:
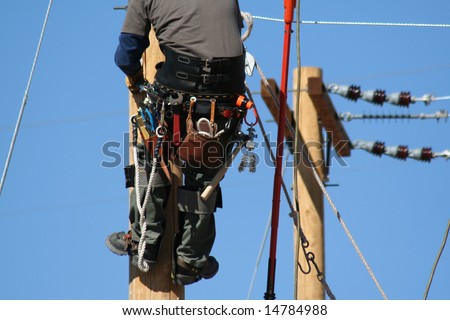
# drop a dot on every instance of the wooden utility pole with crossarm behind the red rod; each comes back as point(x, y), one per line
point(309, 195)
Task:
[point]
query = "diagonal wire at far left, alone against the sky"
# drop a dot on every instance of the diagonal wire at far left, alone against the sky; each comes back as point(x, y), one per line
point(25, 98)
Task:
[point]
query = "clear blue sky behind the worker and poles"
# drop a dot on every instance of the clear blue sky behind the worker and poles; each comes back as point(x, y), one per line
point(59, 203)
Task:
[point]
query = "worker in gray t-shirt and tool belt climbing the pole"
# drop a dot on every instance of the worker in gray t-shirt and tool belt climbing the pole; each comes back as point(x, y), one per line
point(201, 78)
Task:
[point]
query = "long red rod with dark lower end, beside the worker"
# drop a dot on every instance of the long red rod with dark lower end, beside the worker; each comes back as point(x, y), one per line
point(289, 6)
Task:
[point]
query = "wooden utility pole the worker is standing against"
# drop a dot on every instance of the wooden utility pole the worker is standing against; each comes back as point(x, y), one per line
point(156, 284)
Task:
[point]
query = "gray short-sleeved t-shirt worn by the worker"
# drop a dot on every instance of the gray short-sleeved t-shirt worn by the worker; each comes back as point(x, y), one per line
point(200, 28)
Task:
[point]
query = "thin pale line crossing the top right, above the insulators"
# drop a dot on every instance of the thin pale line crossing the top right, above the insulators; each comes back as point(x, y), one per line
point(361, 23)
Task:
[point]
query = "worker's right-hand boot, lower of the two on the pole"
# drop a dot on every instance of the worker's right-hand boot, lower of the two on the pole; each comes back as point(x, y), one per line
point(186, 274)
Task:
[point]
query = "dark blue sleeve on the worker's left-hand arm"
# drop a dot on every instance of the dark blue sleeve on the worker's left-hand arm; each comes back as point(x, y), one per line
point(129, 52)
